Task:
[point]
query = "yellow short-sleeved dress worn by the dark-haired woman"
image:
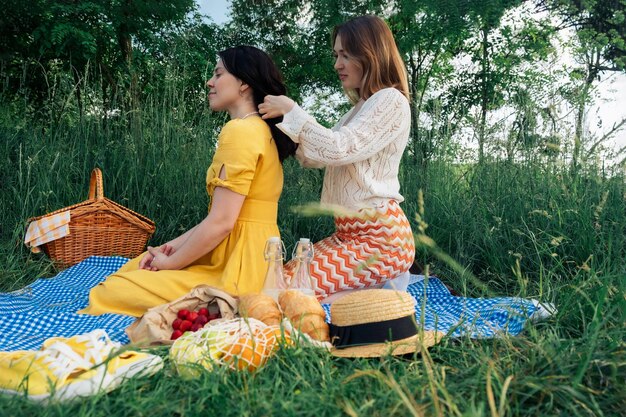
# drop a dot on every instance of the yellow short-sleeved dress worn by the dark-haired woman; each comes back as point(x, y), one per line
point(249, 156)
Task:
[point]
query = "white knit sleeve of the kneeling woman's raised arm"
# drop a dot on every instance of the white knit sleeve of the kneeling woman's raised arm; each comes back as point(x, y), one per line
point(376, 125)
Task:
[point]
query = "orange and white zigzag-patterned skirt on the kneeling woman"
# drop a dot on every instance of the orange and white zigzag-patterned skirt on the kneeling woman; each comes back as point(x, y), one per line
point(365, 251)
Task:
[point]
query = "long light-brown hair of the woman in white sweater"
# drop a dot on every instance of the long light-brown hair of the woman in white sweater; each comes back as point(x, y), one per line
point(370, 41)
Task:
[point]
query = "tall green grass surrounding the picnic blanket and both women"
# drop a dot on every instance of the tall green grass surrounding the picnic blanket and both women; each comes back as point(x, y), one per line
point(525, 229)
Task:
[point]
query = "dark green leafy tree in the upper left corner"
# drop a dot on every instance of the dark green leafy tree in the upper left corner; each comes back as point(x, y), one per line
point(80, 32)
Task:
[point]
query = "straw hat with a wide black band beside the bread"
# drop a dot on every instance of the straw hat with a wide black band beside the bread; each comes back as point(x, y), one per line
point(377, 322)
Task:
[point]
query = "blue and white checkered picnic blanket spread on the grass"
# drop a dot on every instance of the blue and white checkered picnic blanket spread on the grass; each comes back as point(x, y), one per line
point(48, 306)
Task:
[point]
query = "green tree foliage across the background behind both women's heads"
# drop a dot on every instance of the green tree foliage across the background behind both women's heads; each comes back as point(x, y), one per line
point(467, 60)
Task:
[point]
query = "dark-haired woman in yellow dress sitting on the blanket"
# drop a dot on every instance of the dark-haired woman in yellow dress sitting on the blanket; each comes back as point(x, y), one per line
point(244, 181)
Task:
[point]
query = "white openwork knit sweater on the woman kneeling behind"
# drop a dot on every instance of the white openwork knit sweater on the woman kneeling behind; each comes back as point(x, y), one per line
point(361, 157)
